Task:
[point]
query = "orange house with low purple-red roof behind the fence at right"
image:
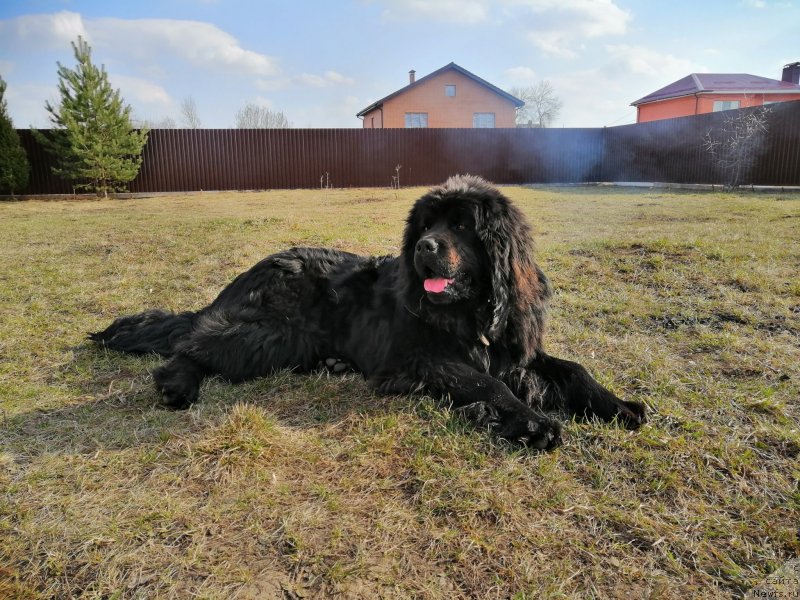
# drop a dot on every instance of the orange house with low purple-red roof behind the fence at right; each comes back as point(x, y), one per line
point(700, 93)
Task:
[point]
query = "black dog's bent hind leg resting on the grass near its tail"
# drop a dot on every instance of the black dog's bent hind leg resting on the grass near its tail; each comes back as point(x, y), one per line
point(224, 344)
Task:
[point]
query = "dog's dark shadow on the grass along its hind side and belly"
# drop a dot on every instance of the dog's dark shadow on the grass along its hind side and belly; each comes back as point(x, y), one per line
point(116, 407)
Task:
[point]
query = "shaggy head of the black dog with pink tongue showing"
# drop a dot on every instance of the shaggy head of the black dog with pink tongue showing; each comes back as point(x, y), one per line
point(467, 247)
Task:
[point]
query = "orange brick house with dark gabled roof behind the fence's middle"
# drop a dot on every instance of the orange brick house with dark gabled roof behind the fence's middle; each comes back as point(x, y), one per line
point(448, 97)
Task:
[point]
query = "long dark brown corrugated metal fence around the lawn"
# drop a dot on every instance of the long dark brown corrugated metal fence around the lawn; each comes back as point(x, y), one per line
point(231, 159)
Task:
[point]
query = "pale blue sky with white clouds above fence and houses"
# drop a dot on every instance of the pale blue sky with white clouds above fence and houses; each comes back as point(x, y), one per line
point(321, 62)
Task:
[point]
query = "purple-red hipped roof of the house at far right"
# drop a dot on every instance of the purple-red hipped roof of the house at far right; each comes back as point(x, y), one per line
point(720, 83)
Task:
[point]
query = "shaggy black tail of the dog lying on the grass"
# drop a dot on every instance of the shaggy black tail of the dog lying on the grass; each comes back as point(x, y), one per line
point(152, 331)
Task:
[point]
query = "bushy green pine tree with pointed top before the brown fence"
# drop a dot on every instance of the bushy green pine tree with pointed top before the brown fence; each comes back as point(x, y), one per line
point(93, 139)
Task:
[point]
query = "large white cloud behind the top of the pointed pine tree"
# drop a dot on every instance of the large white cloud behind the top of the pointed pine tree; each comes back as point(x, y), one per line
point(142, 55)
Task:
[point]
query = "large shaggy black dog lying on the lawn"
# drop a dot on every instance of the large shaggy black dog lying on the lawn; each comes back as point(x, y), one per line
point(458, 315)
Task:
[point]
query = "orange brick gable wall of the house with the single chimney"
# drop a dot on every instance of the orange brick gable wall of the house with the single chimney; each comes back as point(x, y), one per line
point(443, 111)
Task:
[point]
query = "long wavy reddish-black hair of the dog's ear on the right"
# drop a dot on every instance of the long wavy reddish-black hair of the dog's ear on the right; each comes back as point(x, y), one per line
point(520, 289)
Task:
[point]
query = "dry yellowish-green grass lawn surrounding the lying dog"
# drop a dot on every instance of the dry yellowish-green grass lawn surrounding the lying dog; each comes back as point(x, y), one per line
point(311, 486)
